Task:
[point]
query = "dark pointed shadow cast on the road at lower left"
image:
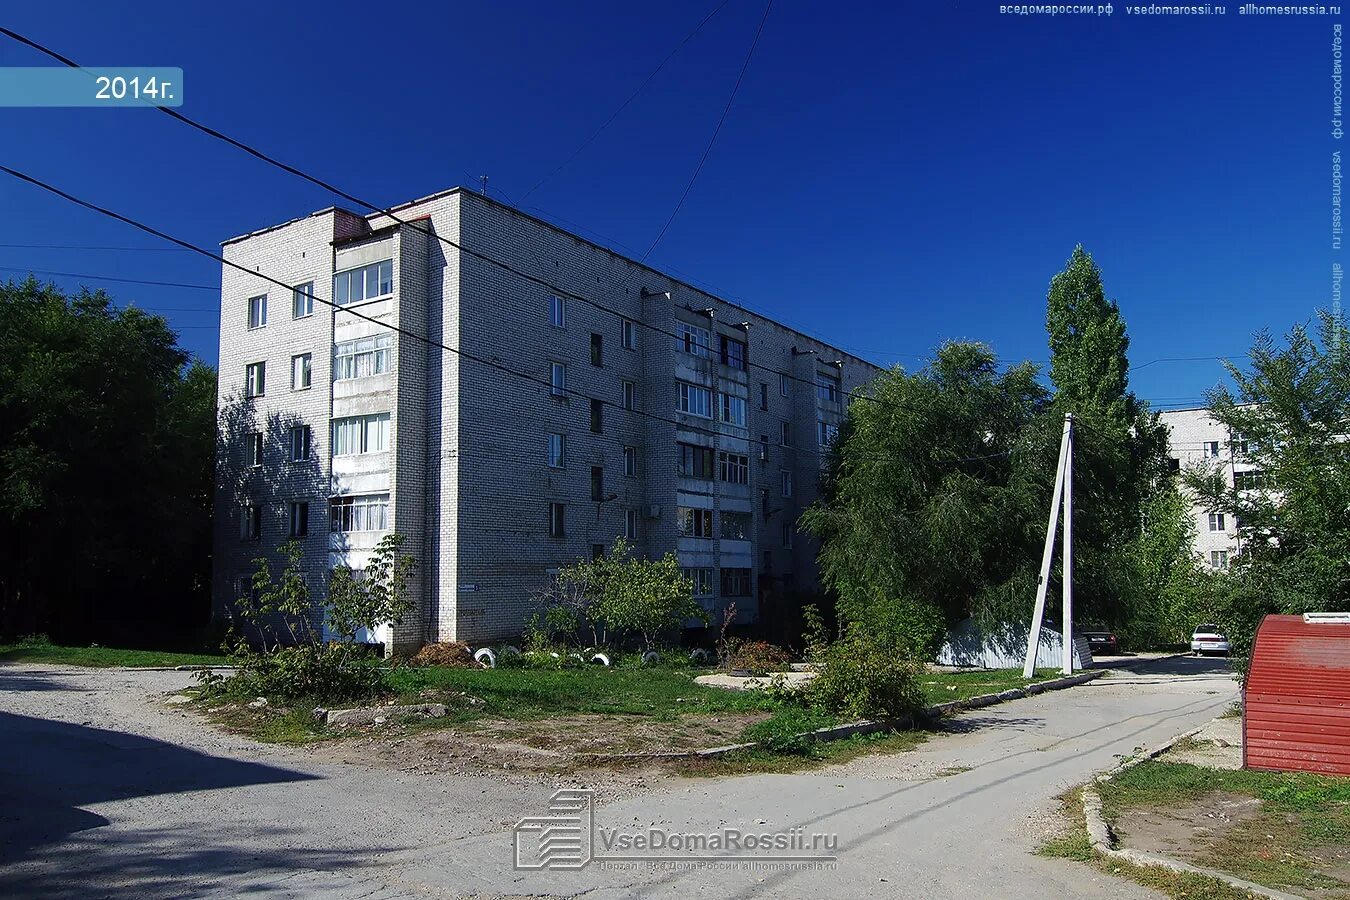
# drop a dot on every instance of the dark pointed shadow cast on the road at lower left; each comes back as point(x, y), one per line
point(51, 770)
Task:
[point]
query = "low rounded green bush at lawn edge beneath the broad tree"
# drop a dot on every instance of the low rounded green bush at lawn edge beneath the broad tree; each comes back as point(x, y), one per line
point(866, 678)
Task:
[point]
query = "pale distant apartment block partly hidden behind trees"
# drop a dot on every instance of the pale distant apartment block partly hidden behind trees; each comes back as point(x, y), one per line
point(1198, 442)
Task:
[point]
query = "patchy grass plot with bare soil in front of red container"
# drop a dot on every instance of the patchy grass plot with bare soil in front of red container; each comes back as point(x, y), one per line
point(1297, 836)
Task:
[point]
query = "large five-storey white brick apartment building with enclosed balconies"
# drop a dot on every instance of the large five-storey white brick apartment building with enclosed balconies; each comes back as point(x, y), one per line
point(672, 418)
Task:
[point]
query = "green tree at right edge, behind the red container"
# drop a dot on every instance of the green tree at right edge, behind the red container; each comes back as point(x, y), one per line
point(1289, 418)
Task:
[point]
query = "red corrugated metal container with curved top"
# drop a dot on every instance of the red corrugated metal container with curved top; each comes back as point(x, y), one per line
point(1298, 698)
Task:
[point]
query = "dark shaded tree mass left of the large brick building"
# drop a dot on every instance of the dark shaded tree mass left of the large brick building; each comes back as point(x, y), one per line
point(107, 435)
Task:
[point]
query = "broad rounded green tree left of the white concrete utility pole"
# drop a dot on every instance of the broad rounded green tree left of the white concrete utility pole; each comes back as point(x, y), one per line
point(931, 499)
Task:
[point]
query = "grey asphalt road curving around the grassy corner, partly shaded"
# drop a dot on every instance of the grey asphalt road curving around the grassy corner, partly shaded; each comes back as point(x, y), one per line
point(105, 791)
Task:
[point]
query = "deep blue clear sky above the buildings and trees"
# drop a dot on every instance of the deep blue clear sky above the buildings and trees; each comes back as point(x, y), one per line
point(890, 176)
